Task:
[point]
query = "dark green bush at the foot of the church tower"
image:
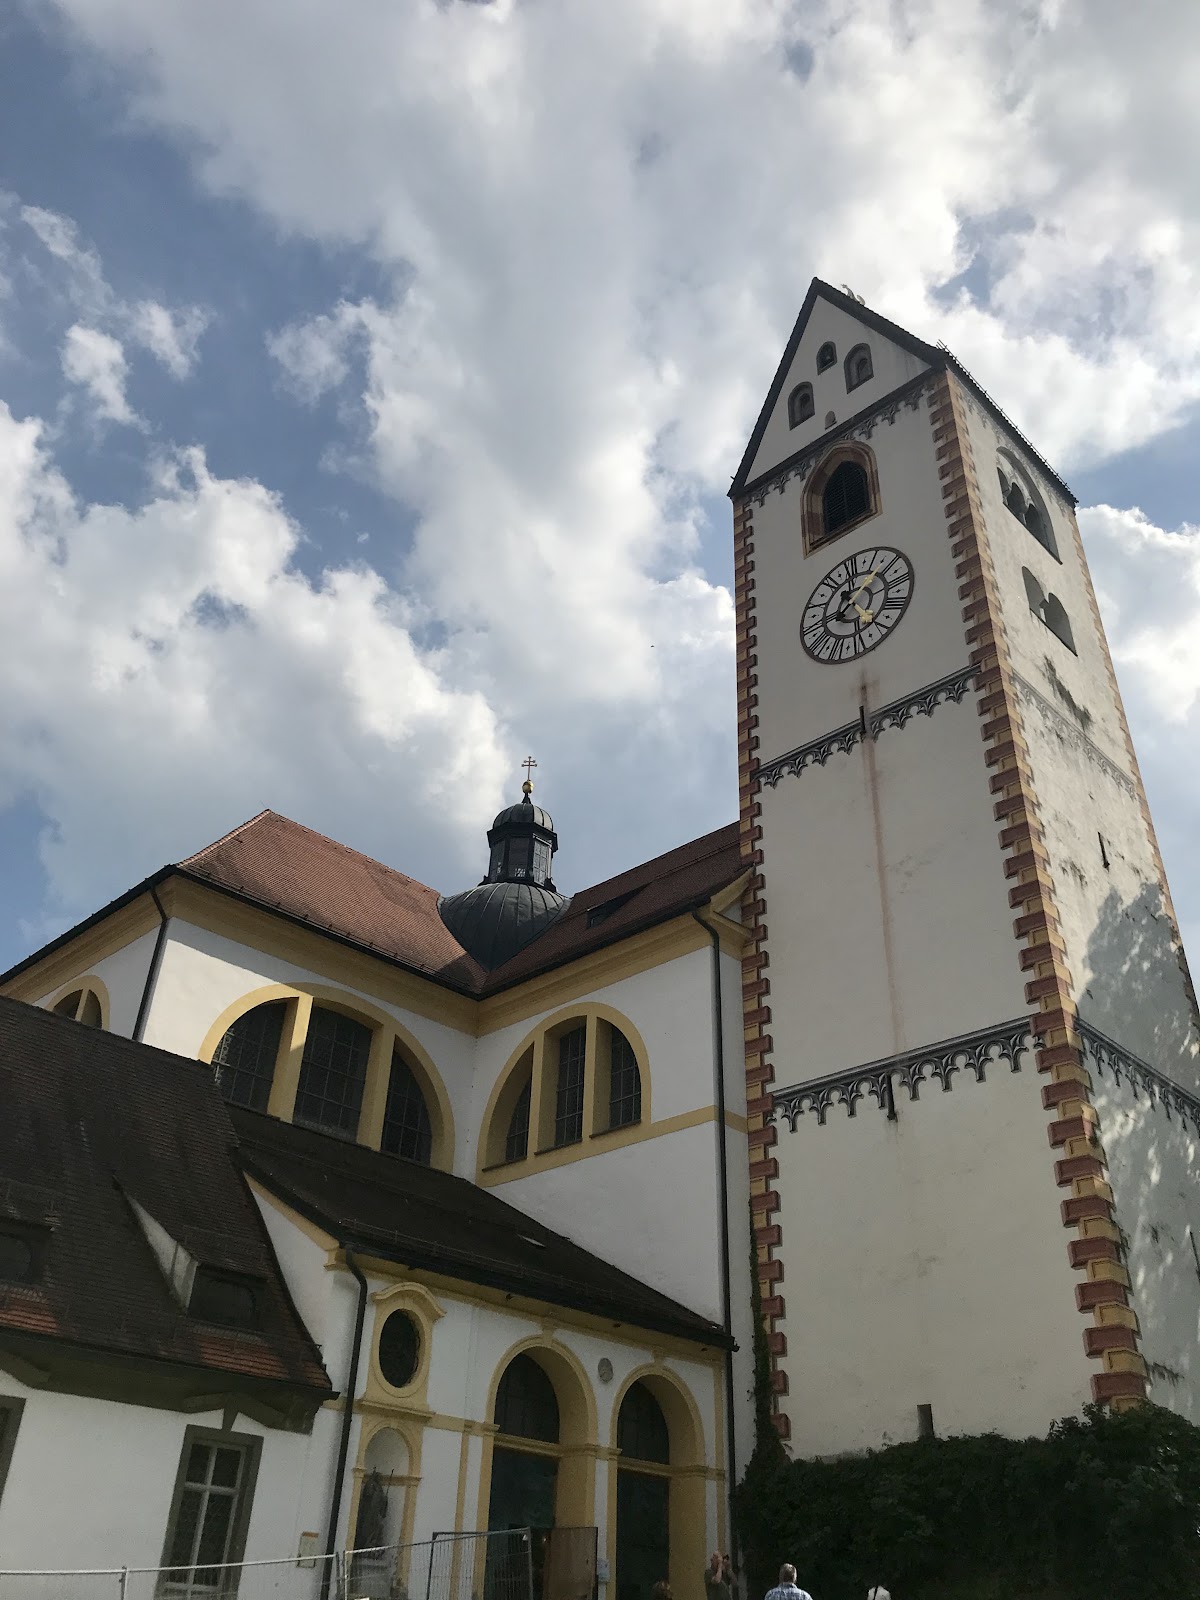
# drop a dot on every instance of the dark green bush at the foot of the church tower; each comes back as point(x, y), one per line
point(1106, 1505)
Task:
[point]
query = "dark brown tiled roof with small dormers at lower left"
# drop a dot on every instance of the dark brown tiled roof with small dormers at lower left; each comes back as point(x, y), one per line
point(94, 1122)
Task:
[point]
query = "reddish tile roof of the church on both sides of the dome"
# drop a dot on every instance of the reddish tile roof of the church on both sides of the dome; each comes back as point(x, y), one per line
point(313, 879)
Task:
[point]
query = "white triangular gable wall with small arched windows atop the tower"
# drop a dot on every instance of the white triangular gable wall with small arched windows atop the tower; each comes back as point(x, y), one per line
point(892, 369)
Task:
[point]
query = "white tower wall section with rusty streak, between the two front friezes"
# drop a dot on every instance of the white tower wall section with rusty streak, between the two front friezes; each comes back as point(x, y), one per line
point(868, 961)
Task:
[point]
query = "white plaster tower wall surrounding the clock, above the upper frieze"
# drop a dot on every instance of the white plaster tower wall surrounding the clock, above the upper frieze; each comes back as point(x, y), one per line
point(801, 700)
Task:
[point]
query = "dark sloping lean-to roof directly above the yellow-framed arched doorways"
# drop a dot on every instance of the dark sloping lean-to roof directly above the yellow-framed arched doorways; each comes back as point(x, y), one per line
point(423, 1218)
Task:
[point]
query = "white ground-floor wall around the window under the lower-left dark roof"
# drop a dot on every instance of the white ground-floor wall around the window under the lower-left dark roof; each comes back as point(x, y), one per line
point(92, 1482)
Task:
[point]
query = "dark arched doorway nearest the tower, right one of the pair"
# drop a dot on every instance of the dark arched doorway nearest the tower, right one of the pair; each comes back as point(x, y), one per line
point(642, 1495)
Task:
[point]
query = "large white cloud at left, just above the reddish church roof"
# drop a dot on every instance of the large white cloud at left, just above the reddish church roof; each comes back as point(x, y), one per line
point(169, 671)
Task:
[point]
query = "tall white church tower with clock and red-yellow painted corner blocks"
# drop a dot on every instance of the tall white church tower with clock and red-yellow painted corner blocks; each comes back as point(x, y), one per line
point(972, 1036)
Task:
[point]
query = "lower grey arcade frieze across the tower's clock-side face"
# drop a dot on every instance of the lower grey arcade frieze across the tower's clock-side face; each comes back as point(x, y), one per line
point(1004, 1044)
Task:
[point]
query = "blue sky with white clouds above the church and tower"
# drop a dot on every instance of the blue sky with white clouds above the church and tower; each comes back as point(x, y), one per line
point(372, 378)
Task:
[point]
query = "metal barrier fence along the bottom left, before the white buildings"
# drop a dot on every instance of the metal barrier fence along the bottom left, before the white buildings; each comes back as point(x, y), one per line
point(447, 1567)
